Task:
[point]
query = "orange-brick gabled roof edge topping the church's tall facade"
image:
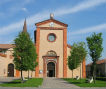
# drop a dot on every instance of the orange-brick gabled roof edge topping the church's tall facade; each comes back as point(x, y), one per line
point(51, 20)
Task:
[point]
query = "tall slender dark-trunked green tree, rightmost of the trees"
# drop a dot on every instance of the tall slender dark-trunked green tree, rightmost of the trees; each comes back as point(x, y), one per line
point(95, 49)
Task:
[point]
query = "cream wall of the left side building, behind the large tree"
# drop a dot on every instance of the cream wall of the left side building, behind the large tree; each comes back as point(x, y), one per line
point(4, 61)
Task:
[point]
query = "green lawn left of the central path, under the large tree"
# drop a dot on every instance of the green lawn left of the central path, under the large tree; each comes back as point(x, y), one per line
point(34, 82)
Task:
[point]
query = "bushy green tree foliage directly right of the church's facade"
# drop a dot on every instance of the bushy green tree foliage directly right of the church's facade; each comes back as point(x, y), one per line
point(78, 54)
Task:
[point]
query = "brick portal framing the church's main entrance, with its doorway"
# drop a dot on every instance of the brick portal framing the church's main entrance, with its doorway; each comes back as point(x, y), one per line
point(50, 66)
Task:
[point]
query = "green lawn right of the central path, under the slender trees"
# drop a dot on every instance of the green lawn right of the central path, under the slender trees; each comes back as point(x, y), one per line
point(82, 83)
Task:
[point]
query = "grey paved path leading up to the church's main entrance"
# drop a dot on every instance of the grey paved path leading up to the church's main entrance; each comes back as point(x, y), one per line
point(56, 83)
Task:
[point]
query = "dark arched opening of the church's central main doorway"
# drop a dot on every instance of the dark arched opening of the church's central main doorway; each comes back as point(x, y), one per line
point(51, 69)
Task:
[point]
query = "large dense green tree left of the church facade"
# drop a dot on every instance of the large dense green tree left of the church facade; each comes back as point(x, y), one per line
point(24, 53)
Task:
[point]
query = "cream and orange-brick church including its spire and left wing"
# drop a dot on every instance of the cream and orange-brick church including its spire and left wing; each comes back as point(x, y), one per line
point(50, 38)
